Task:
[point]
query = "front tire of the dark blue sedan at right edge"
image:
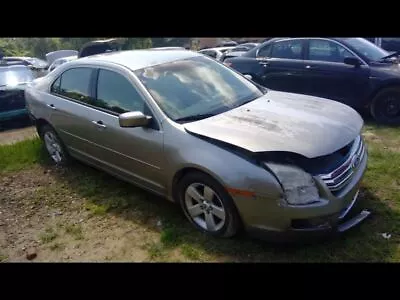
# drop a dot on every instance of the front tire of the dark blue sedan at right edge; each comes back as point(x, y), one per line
point(385, 107)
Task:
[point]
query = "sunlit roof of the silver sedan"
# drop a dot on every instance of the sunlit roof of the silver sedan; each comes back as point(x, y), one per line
point(138, 59)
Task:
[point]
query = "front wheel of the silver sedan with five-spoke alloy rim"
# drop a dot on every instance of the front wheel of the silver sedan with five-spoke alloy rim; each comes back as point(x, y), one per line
point(208, 206)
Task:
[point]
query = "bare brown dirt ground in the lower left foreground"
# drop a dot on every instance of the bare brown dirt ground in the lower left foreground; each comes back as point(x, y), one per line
point(62, 228)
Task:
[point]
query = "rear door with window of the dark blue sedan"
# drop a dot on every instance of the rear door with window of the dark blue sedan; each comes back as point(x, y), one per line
point(282, 65)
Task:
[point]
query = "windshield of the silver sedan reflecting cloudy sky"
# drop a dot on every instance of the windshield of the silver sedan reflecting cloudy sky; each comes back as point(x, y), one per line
point(196, 86)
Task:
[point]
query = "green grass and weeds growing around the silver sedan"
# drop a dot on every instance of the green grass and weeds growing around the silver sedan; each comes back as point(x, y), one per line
point(102, 195)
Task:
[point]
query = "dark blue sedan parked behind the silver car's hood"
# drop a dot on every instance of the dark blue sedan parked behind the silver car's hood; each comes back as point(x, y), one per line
point(350, 70)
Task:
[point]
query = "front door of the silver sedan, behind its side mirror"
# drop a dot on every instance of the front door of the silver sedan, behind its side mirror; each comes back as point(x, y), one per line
point(133, 152)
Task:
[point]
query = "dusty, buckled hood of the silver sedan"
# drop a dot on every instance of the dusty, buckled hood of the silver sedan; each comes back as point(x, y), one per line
point(279, 121)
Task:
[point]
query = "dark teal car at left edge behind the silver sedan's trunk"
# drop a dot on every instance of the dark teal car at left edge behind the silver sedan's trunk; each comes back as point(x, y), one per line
point(13, 81)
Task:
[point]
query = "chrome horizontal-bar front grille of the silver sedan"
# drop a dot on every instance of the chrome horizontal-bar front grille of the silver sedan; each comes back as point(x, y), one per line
point(340, 177)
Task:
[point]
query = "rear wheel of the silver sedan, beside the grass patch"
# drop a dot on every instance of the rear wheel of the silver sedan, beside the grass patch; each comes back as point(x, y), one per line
point(54, 146)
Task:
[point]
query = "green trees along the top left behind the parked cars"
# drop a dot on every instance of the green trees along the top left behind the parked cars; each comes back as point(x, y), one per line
point(38, 47)
